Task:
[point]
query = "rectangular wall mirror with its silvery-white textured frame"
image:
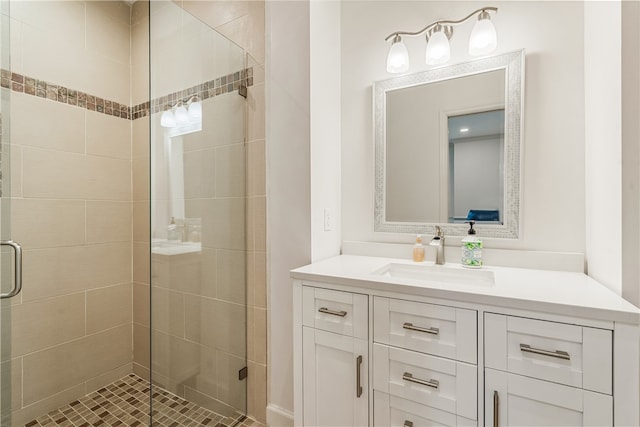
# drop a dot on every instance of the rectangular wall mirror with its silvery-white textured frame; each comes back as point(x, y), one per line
point(447, 148)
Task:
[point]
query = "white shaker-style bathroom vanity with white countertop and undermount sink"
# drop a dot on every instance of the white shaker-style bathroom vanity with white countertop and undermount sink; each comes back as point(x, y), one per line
point(388, 342)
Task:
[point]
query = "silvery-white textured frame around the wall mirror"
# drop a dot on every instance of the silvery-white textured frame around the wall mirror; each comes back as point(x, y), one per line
point(513, 64)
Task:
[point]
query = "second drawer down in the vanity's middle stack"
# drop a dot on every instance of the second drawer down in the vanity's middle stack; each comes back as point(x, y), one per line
point(433, 381)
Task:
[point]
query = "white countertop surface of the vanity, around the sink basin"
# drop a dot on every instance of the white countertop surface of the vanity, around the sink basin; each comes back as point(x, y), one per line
point(563, 293)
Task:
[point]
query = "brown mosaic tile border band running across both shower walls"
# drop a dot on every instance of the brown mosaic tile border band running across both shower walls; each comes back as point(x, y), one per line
point(43, 89)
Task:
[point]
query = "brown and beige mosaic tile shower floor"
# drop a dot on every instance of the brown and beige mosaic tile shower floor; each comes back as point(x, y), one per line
point(124, 403)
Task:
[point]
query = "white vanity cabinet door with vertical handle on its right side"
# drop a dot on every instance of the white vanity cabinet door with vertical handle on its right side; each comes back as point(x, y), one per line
point(335, 379)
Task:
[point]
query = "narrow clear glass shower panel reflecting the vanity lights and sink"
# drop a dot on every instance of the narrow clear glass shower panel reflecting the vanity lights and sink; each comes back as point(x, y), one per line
point(198, 204)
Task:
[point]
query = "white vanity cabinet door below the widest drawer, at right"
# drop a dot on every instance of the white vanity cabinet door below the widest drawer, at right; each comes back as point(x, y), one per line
point(515, 400)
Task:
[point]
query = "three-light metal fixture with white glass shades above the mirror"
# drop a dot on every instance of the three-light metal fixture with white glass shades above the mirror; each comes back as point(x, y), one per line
point(483, 40)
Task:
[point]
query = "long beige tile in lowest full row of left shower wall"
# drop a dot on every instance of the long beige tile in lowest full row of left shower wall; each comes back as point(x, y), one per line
point(57, 368)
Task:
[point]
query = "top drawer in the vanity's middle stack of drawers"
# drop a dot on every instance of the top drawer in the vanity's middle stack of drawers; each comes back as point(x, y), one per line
point(435, 329)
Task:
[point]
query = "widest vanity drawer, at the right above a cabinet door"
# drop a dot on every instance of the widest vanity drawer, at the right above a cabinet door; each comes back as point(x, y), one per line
point(567, 354)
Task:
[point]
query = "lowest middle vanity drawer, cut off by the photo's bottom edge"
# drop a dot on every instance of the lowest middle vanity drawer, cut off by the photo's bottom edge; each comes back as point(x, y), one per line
point(393, 411)
